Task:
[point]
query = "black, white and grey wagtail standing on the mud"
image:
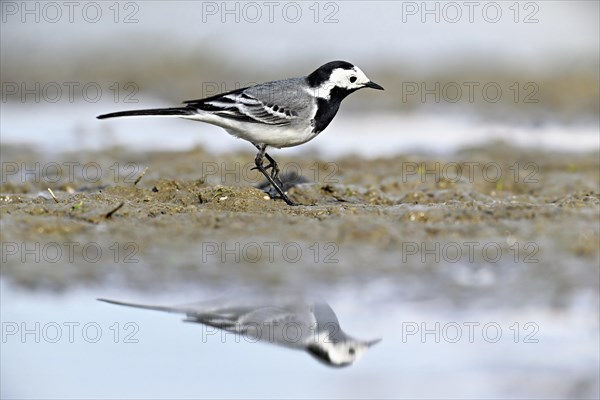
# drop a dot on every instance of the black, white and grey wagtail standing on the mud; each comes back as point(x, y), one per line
point(282, 113)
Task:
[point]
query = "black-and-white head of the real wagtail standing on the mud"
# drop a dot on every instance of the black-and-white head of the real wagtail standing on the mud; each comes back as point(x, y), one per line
point(340, 77)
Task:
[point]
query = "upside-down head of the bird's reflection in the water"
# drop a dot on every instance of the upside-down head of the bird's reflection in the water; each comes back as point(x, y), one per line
point(340, 354)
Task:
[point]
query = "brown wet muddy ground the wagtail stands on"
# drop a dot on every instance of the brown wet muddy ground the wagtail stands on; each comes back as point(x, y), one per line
point(498, 224)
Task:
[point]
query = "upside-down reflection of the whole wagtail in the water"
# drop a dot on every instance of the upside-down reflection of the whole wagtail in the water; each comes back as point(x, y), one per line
point(294, 323)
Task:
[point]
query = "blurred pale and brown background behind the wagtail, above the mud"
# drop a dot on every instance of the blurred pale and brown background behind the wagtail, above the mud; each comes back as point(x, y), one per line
point(531, 64)
